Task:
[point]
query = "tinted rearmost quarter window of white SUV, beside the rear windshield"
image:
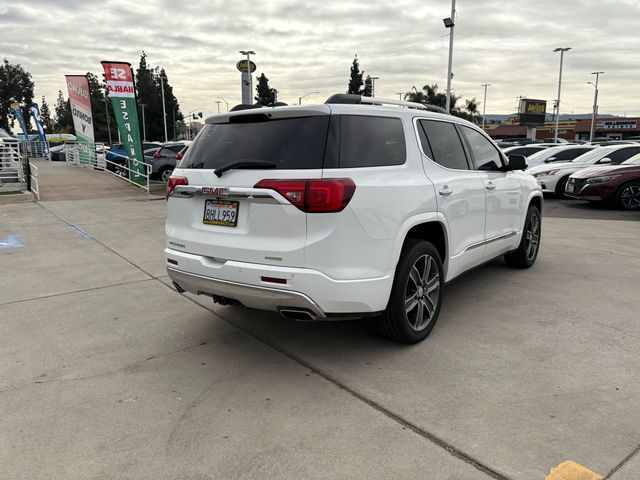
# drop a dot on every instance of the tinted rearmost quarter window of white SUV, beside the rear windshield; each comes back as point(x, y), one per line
point(371, 141)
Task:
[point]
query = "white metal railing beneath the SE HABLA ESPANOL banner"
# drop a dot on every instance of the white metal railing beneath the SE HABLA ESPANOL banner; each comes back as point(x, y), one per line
point(95, 155)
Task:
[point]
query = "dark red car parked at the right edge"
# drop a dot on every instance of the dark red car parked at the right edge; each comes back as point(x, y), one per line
point(615, 185)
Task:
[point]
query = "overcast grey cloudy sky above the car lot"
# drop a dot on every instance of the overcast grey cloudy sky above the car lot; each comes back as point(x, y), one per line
point(307, 46)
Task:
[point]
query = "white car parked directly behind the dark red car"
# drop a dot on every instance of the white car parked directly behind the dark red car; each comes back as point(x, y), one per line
point(553, 177)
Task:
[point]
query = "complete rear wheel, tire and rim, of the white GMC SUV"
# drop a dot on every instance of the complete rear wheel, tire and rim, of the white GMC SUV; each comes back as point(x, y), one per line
point(419, 259)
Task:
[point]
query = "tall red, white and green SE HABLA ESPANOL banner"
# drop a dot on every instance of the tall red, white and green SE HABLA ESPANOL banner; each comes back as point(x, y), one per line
point(121, 90)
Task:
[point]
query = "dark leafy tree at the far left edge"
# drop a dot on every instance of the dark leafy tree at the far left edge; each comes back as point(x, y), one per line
point(15, 86)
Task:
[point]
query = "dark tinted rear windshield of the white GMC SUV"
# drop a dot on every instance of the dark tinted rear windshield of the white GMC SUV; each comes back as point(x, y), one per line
point(290, 143)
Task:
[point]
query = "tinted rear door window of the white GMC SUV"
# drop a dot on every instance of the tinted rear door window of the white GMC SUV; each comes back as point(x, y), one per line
point(444, 143)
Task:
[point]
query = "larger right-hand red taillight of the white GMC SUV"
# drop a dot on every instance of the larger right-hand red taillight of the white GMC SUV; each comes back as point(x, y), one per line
point(314, 196)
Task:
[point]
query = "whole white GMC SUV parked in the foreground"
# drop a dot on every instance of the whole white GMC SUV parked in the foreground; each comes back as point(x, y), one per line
point(345, 210)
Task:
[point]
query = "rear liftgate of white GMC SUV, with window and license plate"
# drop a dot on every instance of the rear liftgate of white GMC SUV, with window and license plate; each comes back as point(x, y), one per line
point(214, 209)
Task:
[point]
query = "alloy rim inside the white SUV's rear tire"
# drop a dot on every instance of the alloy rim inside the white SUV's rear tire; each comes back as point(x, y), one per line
point(422, 292)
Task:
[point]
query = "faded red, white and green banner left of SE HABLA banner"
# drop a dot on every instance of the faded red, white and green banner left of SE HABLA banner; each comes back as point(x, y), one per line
point(82, 119)
